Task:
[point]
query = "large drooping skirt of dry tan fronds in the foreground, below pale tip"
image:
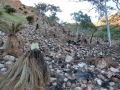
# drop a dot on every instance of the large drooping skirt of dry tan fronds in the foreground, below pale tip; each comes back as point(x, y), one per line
point(30, 72)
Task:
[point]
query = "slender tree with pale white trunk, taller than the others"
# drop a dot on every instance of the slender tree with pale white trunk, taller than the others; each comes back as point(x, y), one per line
point(101, 8)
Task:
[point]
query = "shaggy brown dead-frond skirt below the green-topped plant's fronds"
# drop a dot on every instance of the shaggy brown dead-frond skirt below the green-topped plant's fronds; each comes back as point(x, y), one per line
point(13, 45)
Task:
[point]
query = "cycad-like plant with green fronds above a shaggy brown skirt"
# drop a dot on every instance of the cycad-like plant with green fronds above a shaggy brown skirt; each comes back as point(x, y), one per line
point(13, 42)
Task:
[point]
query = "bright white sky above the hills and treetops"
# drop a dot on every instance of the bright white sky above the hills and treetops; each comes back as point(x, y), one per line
point(67, 8)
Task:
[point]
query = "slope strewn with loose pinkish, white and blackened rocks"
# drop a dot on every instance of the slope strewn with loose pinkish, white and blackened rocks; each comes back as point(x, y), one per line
point(73, 65)
